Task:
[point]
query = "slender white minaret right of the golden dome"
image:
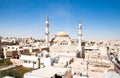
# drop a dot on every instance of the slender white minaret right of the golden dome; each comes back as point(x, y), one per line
point(80, 36)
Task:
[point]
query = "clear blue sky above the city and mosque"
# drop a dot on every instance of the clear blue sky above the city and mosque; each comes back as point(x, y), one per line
point(24, 18)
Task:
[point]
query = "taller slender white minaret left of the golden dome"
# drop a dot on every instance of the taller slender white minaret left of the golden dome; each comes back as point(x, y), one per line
point(47, 32)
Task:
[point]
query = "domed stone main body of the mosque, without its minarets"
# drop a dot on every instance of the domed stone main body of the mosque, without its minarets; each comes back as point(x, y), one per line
point(63, 43)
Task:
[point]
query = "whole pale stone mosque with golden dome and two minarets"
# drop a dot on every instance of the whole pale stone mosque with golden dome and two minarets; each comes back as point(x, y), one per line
point(62, 42)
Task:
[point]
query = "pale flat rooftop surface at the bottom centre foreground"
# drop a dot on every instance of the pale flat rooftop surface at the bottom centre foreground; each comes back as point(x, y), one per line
point(48, 71)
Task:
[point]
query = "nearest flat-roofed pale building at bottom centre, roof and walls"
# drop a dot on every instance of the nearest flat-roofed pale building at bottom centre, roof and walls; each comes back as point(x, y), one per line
point(49, 72)
